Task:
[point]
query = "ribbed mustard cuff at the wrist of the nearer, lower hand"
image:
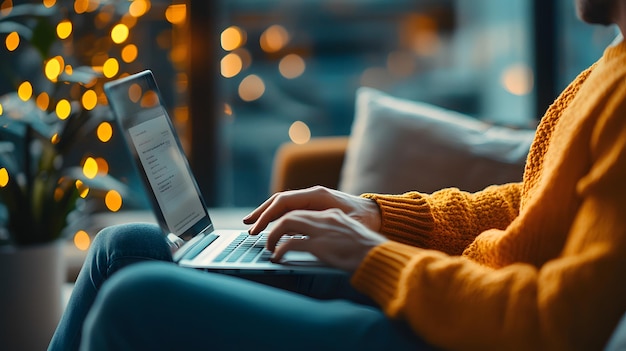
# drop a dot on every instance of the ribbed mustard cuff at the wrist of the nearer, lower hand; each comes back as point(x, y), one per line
point(380, 274)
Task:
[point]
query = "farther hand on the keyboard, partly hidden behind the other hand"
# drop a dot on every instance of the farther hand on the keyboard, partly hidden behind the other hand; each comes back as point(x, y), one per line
point(317, 198)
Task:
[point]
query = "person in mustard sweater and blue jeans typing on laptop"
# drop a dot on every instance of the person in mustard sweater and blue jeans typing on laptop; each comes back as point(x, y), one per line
point(535, 265)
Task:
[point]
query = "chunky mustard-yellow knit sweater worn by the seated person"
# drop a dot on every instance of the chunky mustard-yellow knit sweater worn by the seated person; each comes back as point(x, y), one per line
point(537, 265)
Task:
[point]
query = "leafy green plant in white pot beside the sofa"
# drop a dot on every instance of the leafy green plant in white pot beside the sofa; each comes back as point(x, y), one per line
point(45, 182)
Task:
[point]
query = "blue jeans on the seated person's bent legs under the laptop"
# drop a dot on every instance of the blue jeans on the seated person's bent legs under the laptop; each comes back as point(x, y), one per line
point(157, 305)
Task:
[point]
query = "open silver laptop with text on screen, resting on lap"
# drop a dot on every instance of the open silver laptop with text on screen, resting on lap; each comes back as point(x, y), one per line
point(176, 199)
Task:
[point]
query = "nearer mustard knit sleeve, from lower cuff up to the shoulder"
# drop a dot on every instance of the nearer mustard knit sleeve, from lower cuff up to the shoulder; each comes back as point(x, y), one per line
point(572, 301)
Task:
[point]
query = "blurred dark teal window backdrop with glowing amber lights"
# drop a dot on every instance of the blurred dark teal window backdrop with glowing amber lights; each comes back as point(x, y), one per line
point(241, 77)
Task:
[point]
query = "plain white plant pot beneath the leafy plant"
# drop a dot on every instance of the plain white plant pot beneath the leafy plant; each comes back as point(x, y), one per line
point(31, 283)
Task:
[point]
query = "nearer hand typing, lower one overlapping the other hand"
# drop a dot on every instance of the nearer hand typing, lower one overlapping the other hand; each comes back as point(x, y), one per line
point(332, 236)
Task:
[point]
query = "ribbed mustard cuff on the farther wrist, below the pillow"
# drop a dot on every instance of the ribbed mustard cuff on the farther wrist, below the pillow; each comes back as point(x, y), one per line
point(404, 217)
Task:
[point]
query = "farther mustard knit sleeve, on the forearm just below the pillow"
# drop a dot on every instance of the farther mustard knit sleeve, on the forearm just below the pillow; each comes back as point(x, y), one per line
point(447, 220)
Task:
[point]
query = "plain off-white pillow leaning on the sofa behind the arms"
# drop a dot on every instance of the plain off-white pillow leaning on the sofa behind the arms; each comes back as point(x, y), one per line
point(398, 145)
